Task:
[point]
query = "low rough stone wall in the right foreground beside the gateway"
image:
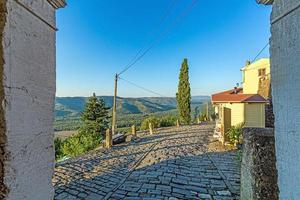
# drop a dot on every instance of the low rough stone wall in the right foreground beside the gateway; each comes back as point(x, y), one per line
point(258, 173)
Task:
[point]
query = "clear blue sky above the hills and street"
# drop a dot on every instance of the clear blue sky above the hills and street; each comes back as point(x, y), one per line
point(97, 38)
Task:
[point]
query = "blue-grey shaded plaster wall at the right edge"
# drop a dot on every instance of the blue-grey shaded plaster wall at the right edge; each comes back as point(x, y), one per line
point(285, 72)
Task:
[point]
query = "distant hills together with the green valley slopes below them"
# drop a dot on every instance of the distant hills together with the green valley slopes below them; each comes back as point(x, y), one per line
point(130, 110)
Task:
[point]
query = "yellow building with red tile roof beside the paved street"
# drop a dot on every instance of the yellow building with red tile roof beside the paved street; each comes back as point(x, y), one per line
point(244, 105)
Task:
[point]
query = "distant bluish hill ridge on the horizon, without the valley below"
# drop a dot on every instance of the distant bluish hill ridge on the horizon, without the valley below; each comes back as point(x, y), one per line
point(71, 107)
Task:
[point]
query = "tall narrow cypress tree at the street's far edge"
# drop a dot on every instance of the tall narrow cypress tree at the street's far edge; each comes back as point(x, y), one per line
point(183, 95)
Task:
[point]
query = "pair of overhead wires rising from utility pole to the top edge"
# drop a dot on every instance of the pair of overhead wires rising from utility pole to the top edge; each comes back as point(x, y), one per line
point(164, 34)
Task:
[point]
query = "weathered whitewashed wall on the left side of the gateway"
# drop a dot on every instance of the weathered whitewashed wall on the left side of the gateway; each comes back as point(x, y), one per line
point(29, 83)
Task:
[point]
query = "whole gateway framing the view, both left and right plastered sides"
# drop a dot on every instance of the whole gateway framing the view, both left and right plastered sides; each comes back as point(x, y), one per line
point(27, 67)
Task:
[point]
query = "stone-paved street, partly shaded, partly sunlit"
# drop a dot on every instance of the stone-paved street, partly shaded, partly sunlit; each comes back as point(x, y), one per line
point(174, 163)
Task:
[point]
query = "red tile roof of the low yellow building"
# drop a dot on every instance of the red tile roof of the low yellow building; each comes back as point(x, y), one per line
point(237, 96)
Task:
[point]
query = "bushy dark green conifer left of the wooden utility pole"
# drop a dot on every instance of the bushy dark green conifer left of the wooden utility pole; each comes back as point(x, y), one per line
point(95, 116)
